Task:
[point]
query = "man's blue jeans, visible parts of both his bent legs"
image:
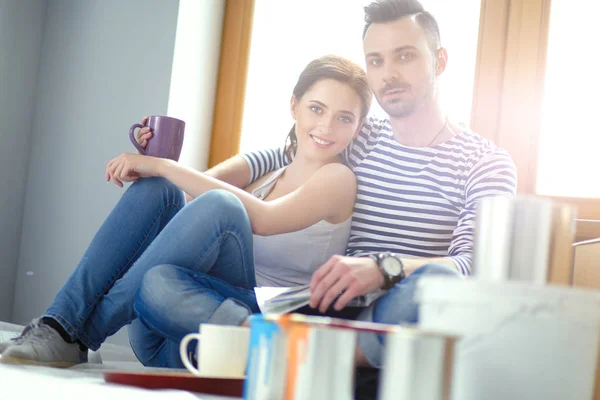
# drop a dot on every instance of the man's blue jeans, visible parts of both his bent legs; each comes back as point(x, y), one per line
point(202, 297)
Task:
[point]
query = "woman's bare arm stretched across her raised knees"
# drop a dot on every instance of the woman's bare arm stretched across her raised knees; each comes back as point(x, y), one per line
point(329, 193)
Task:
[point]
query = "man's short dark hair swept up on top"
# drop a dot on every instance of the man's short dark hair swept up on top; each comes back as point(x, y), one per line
point(382, 11)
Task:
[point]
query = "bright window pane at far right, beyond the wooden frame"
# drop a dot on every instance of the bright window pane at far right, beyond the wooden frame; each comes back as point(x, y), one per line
point(570, 132)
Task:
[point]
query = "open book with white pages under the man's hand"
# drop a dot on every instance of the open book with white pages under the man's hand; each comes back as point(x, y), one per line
point(281, 300)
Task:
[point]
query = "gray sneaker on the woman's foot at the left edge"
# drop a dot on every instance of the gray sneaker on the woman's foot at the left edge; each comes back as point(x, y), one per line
point(39, 344)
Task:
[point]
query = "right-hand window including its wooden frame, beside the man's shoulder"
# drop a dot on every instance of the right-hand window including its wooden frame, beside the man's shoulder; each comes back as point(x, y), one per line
point(534, 73)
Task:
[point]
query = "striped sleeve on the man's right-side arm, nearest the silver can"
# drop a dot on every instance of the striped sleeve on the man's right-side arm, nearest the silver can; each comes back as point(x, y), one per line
point(494, 175)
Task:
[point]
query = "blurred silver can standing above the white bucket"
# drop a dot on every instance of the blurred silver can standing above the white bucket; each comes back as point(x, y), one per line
point(524, 239)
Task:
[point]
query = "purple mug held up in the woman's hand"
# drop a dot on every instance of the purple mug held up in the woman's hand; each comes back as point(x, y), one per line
point(166, 140)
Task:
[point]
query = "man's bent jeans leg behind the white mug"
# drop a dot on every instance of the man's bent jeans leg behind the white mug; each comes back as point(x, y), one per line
point(173, 301)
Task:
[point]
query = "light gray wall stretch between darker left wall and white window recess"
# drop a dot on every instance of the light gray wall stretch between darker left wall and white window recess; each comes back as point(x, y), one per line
point(104, 64)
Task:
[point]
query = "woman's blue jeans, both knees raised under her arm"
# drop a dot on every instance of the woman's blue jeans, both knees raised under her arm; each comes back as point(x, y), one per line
point(148, 227)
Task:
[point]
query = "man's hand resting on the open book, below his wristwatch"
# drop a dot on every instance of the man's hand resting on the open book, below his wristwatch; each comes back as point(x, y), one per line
point(350, 275)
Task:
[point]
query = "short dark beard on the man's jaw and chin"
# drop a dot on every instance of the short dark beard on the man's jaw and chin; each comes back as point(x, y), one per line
point(401, 108)
